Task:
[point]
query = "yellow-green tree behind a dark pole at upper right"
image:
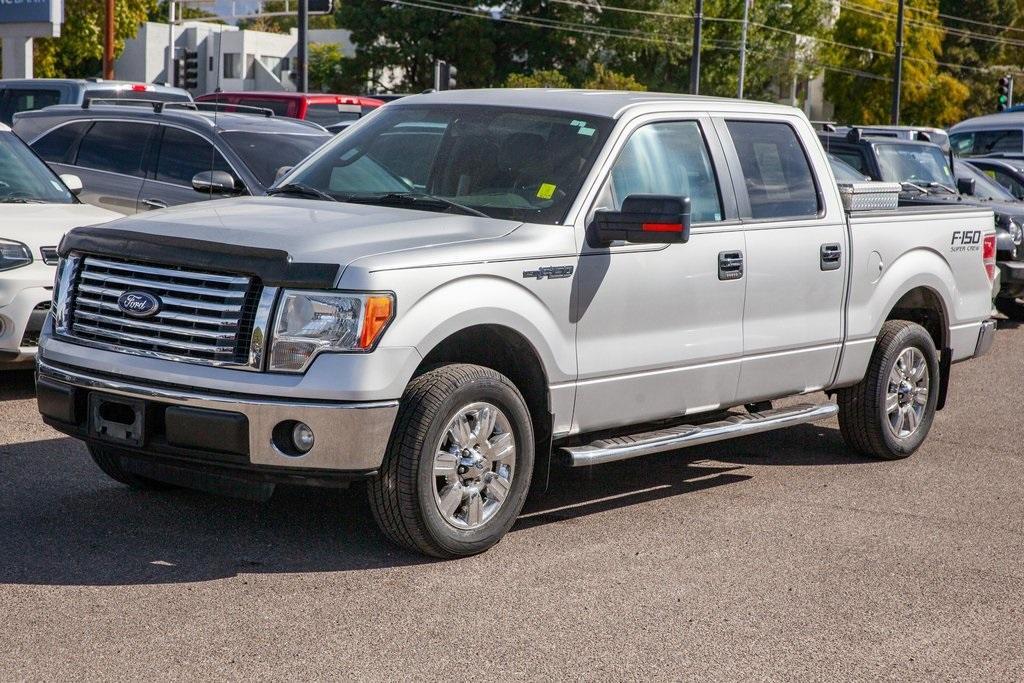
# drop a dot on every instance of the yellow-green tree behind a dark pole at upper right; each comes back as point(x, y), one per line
point(928, 96)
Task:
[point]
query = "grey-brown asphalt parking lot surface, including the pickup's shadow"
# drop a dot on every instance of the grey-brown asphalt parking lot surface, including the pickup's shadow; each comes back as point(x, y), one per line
point(770, 558)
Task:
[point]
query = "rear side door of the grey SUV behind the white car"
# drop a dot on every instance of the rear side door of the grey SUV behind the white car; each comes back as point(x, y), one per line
point(111, 162)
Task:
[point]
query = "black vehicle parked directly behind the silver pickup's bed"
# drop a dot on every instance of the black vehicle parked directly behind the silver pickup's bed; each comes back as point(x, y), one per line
point(928, 178)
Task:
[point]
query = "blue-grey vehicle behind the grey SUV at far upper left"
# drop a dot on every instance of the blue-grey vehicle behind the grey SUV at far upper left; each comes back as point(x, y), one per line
point(29, 95)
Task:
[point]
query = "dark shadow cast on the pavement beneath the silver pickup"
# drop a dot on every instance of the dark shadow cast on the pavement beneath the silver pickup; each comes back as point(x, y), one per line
point(64, 523)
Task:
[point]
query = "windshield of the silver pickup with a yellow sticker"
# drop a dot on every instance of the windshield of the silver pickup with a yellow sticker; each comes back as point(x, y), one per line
point(503, 162)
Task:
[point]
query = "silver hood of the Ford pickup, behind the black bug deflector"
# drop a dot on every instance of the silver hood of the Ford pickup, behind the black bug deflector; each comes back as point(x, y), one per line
point(314, 232)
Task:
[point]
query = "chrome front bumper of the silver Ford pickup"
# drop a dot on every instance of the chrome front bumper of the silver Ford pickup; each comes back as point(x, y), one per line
point(349, 437)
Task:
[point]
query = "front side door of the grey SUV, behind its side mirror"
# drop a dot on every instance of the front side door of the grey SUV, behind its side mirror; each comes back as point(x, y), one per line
point(178, 158)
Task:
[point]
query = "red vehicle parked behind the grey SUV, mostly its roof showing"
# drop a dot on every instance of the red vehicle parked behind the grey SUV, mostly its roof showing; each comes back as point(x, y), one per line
point(333, 112)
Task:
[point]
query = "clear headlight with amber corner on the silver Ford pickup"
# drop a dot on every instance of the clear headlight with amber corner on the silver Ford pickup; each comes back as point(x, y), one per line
point(309, 323)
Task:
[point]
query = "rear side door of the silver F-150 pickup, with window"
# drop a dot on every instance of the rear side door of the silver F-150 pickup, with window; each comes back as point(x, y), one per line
point(796, 262)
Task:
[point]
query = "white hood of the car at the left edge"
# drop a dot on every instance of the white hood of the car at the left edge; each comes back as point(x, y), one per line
point(44, 225)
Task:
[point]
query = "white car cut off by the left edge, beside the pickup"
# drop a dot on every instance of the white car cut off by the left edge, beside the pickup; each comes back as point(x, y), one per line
point(37, 207)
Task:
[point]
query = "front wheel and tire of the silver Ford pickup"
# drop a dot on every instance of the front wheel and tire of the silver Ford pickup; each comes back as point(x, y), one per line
point(458, 468)
